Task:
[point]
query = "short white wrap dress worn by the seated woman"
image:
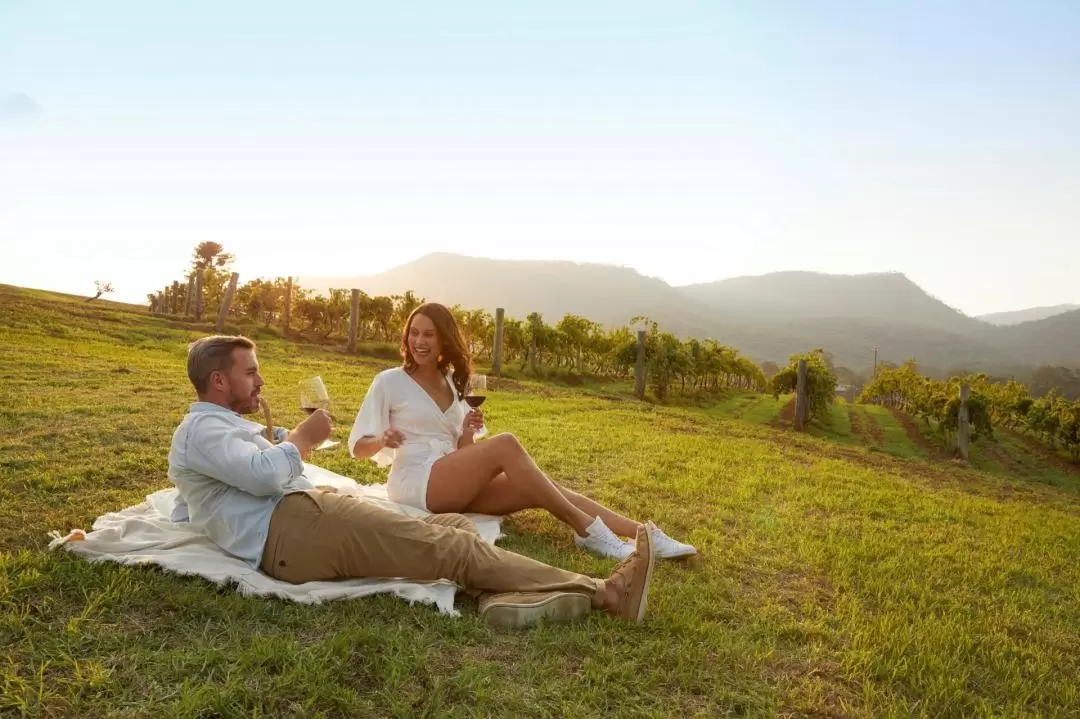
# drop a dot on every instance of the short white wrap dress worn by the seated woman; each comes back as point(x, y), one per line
point(396, 401)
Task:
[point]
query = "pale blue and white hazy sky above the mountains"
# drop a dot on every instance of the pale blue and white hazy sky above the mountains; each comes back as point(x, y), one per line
point(691, 141)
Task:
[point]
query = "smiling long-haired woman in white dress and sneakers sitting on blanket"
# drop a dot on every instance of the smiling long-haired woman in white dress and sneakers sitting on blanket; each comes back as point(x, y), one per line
point(414, 419)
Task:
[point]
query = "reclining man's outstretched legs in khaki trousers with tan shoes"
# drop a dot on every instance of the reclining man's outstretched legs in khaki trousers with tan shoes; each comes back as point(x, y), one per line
point(316, 536)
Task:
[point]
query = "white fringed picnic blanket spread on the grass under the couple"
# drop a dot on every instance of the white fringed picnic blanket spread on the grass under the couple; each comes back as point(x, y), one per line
point(144, 535)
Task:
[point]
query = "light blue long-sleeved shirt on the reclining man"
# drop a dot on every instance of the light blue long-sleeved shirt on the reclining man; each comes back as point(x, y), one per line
point(232, 478)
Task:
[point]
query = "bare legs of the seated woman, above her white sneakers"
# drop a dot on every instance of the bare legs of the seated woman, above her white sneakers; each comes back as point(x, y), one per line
point(458, 480)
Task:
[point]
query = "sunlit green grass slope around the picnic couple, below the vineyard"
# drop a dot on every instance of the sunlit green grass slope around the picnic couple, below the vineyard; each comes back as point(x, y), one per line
point(835, 581)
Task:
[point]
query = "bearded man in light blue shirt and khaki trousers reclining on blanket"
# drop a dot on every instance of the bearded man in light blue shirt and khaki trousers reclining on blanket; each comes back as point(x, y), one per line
point(252, 499)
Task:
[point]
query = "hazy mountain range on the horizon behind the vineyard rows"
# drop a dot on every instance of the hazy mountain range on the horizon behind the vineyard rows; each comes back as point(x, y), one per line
point(771, 317)
